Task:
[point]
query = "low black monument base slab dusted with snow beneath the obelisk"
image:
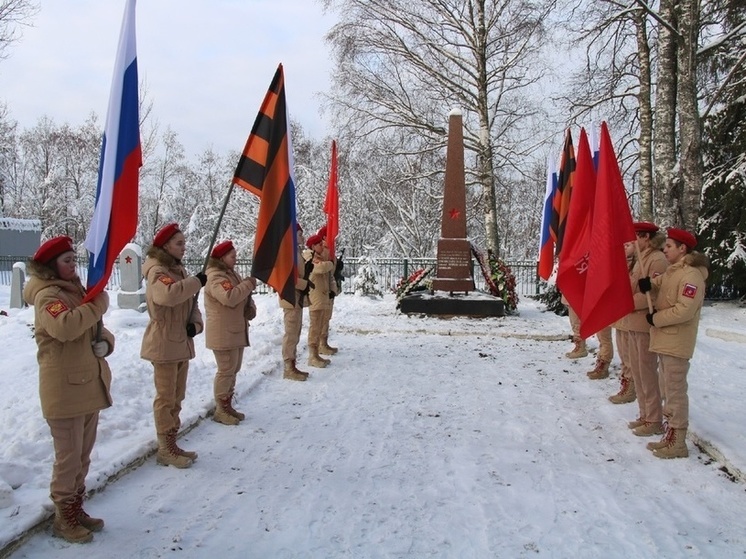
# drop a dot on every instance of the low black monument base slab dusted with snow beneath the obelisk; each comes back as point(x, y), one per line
point(476, 304)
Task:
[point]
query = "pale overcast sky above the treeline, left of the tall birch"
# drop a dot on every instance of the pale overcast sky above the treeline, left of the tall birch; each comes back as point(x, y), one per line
point(207, 64)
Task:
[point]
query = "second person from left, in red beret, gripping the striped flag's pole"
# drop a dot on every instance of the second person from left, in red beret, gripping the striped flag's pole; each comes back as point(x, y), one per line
point(175, 319)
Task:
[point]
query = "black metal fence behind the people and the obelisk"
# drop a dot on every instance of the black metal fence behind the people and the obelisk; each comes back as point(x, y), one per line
point(388, 271)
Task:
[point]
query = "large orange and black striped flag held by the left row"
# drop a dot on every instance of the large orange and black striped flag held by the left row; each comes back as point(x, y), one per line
point(265, 169)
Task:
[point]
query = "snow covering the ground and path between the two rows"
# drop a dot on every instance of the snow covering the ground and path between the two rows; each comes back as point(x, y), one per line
point(425, 437)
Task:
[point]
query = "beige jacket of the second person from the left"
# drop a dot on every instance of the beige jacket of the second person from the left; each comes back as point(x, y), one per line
point(169, 294)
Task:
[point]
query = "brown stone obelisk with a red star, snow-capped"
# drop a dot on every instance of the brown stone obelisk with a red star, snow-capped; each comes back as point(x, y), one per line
point(454, 250)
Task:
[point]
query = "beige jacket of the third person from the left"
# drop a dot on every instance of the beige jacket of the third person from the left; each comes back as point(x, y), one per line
point(228, 306)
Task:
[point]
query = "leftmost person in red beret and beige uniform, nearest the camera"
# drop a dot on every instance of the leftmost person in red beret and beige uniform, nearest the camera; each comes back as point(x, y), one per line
point(74, 377)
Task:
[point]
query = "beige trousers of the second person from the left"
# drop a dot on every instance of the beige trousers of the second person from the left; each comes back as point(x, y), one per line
point(170, 389)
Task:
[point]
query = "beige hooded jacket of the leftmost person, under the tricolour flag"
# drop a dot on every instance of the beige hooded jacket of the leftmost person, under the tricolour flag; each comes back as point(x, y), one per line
point(72, 380)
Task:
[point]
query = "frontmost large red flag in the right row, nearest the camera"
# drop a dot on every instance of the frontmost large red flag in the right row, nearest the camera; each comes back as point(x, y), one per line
point(608, 293)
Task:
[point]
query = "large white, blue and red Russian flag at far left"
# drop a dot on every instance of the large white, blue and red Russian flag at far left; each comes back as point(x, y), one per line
point(114, 222)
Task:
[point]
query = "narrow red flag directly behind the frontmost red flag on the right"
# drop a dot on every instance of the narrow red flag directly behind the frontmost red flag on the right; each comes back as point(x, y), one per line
point(573, 262)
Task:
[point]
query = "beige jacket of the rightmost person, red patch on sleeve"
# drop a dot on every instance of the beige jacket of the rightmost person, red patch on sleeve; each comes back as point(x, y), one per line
point(679, 294)
